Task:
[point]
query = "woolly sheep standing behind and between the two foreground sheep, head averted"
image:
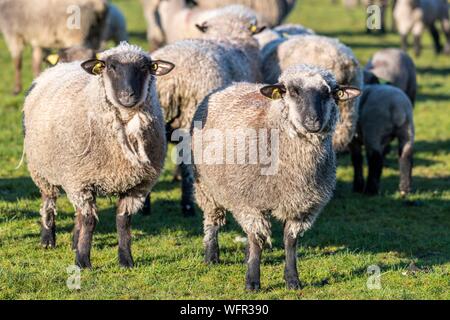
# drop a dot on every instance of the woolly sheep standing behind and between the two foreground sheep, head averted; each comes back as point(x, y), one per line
point(227, 53)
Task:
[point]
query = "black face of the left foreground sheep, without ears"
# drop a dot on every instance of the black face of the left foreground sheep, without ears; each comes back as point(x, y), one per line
point(129, 81)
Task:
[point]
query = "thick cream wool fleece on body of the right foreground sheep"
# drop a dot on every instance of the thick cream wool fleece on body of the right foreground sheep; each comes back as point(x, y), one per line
point(303, 183)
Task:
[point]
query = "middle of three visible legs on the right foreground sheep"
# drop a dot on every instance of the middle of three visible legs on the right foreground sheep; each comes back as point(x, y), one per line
point(253, 276)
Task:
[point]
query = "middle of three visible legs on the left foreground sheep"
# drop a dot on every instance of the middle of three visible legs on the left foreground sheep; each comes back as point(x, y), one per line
point(87, 221)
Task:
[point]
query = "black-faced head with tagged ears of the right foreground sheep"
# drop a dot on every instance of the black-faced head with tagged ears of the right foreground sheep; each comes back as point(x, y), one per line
point(311, 96)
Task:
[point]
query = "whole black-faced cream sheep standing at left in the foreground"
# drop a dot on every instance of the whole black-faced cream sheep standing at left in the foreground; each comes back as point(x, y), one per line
point(96, 131)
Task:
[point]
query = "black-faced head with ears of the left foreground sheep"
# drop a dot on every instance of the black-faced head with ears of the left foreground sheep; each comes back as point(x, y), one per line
point(127, 72)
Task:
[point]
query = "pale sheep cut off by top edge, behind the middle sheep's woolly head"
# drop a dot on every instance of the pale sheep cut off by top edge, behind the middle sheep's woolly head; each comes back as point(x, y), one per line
point(171, 20)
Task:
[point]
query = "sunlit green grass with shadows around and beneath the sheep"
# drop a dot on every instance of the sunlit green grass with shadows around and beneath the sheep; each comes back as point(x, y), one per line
point(352, 233)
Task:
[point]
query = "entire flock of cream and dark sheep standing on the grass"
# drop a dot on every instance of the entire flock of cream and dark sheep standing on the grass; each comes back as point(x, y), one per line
point(99, 125)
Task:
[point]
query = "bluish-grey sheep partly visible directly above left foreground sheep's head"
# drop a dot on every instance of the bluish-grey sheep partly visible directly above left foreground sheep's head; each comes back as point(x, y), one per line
point(116, 26)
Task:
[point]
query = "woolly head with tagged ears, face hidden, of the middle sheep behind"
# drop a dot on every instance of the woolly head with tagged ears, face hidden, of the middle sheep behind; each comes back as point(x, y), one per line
point(234, 21)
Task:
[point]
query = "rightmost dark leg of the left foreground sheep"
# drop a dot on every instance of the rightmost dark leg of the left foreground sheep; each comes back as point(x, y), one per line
point(127, 206)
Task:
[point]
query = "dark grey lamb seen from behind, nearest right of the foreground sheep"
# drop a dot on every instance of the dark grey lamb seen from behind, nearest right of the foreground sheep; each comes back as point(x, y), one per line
point(386, 113)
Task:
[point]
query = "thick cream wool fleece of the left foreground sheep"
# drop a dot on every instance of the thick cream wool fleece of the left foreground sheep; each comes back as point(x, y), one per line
point(75, 138)
